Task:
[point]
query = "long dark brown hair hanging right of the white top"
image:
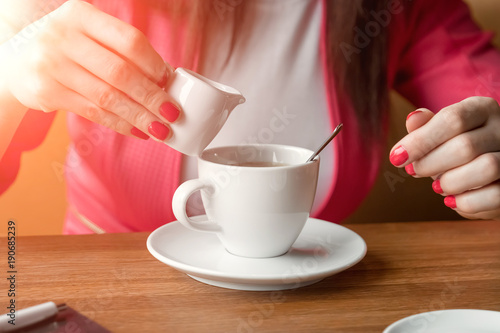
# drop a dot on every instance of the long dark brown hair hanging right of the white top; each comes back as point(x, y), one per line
point(358, 58)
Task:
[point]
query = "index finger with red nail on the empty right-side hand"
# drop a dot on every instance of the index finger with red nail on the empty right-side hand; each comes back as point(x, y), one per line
point(451, 121)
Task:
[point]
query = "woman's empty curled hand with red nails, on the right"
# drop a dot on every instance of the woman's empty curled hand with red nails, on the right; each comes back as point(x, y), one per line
point(459, 148)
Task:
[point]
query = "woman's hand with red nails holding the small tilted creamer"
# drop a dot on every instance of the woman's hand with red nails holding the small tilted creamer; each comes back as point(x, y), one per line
point(82, 60)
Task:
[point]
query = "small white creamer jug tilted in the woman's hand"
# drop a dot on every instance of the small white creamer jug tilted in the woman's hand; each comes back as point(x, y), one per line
point(205, 104)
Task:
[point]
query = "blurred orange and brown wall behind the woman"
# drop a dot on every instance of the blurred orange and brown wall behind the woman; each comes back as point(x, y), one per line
point(36, 201)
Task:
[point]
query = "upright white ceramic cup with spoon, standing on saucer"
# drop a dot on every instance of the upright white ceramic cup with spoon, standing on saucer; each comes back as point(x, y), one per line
point(255, 211)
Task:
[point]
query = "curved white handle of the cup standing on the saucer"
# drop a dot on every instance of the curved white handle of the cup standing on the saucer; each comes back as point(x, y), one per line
point(179, 203)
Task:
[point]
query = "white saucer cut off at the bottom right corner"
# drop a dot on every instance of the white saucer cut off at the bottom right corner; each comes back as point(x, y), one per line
point(449, 321)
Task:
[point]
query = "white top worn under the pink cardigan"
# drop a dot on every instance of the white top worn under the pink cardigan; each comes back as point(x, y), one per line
point(277, 67)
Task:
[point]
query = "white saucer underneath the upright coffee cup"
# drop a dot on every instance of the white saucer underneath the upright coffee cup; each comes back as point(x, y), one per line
point(322, 249)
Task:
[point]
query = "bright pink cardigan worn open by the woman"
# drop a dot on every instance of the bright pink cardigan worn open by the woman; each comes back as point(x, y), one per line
point(437, 57)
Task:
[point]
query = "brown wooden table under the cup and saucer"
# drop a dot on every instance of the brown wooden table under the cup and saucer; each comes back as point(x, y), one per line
point(409, 268)
